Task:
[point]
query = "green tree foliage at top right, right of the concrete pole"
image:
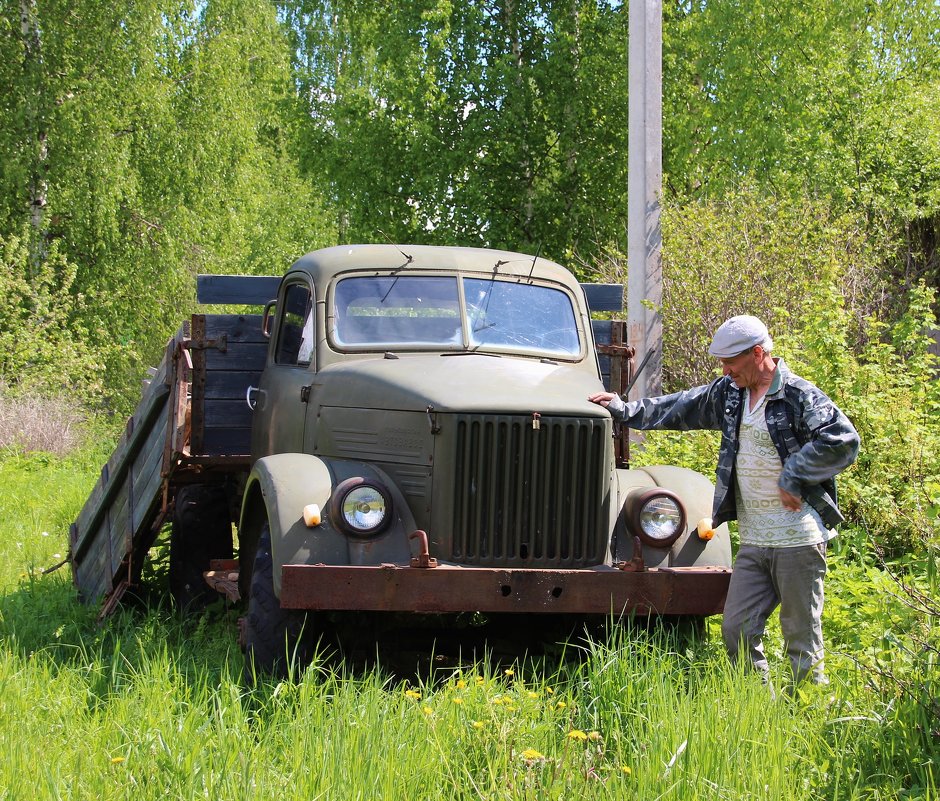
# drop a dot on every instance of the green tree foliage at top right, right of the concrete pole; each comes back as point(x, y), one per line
point(832, 100)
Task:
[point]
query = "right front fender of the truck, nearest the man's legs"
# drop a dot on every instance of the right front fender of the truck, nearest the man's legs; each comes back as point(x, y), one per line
point(696, 493)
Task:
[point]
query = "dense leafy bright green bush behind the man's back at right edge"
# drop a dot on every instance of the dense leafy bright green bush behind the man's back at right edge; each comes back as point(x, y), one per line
point(890, 392)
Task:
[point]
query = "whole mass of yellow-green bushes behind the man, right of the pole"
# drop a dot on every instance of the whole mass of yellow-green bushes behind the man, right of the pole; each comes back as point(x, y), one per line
point(820, 281)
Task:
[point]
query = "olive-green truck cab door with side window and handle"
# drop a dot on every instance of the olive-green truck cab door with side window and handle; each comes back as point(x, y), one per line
point(281, 401)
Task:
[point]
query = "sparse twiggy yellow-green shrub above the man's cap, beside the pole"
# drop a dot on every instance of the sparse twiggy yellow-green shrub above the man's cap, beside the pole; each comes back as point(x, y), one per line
point(767, 255)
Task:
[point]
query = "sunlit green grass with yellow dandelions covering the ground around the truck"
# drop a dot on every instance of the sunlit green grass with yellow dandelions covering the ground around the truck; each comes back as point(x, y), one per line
point(150, 705)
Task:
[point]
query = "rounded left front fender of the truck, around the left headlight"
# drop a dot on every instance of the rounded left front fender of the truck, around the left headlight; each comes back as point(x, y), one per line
point(279, 487)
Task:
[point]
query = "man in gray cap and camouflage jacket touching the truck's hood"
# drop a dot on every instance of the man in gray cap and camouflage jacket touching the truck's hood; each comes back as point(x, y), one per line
point(782, 444)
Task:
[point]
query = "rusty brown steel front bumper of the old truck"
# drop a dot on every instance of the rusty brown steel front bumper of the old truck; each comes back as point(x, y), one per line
point(662, 591)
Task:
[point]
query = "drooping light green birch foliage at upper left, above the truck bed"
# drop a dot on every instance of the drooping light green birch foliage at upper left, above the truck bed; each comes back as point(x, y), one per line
point(156, 141)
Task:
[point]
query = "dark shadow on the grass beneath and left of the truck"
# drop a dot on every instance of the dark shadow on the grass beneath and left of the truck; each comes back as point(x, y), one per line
point(44, 615)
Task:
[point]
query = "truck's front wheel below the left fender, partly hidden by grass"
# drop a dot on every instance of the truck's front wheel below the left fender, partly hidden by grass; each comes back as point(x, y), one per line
point(276, 640)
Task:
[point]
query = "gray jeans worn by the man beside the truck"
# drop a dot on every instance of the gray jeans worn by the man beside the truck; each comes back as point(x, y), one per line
point(764, 578)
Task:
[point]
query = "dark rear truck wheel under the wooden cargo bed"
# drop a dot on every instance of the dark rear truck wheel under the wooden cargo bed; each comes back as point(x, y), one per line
point(202, 530)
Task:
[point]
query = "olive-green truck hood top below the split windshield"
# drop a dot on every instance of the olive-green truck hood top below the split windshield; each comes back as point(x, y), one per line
point(468, 383)
